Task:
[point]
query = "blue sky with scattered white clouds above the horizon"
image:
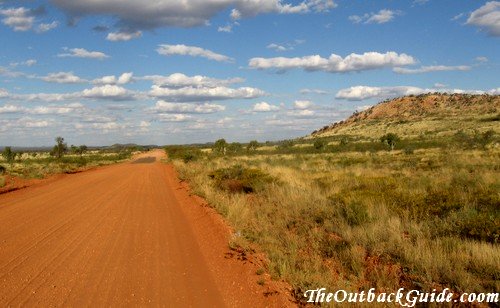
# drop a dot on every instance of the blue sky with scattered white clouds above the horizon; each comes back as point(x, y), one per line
point(99, 72)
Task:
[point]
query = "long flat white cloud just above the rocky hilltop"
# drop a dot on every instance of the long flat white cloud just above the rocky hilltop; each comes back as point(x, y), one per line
point(359, 93)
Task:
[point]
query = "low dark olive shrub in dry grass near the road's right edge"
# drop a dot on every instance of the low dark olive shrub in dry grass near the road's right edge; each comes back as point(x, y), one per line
point(240, 179)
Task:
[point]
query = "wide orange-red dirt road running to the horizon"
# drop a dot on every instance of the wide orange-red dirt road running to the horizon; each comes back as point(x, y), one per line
point(126, 234)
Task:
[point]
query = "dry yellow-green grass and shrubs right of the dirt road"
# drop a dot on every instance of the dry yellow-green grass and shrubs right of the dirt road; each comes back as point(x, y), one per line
point(355, 211)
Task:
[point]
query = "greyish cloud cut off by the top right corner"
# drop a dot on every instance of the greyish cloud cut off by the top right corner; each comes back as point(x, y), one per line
point(487, 17)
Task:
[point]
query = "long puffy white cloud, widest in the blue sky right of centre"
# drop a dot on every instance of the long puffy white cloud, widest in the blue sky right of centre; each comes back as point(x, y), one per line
point(335, 63)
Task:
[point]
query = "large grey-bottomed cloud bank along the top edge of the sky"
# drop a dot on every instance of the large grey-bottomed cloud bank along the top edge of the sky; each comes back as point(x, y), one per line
point(135, 15)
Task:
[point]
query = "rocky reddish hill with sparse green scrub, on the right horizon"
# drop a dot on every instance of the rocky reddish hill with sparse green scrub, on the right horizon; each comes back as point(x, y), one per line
point(416, 115)
